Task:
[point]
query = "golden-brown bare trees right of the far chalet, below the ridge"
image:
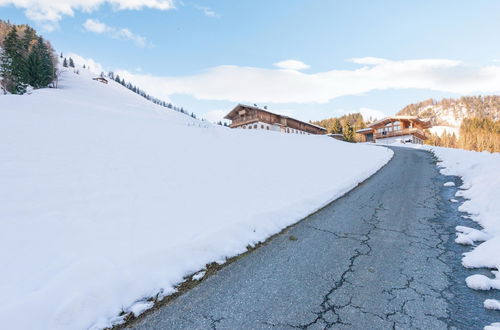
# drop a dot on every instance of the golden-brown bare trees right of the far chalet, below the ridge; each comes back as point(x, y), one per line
point(478, 134)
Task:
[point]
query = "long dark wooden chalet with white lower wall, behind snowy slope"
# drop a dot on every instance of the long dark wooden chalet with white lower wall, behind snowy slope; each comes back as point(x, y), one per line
point(252, 117)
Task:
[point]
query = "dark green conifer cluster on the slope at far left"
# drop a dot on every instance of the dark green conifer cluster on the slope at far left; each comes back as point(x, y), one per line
point(26, 59)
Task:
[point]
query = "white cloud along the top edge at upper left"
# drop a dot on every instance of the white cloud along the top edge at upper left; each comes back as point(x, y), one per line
point(53, 10)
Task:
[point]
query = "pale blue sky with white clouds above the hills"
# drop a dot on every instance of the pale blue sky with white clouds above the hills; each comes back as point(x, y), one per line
point(311, 59)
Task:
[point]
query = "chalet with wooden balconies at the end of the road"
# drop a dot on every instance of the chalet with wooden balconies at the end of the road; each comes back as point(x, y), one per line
point(406, 129)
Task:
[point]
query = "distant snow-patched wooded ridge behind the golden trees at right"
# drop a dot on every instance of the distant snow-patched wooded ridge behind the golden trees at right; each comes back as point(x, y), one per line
point(451, 112)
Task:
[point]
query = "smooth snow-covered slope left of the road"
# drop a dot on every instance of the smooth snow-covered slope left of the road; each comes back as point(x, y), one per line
point(107, 199)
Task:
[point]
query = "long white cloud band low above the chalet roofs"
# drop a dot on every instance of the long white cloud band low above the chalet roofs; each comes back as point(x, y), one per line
point(258, 85)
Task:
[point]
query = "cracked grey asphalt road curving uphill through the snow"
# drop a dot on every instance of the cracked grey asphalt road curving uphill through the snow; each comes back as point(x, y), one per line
point(381, 257)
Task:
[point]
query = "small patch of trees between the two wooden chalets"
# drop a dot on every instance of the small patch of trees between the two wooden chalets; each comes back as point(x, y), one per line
point(345, 125)
